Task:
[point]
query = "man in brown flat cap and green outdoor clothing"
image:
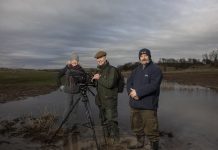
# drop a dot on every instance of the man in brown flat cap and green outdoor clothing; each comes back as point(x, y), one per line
point(106, 98)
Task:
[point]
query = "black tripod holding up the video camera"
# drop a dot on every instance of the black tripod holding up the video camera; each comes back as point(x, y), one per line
point(90, 124)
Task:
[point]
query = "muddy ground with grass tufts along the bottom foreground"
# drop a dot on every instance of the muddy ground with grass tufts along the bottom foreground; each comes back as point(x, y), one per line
point(29, 133)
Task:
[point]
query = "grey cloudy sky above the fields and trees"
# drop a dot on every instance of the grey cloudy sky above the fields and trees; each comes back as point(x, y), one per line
point(42, 34)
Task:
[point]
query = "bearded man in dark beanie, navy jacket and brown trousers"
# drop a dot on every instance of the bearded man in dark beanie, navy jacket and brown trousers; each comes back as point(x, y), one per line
point(143, 87)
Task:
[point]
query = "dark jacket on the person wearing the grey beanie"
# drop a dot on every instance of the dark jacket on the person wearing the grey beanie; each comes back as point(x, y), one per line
point(73, 76)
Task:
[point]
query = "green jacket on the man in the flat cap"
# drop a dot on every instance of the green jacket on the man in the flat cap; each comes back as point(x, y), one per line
point(107, 90)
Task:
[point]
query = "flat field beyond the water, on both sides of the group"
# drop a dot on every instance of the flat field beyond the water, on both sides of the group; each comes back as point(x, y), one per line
point(17, 84)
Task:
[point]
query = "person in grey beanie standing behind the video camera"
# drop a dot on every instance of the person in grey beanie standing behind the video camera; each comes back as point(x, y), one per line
point(74, 74)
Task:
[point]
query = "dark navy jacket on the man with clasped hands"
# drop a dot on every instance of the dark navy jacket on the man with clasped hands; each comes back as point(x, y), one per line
point(146, 82)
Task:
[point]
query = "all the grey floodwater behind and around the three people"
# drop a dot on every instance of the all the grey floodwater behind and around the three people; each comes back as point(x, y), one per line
point(188, 112)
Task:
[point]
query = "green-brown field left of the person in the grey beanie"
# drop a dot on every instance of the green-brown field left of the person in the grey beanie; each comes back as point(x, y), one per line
point(20, 83)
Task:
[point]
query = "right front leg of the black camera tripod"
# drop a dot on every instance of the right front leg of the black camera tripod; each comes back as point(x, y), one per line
point(88, 114)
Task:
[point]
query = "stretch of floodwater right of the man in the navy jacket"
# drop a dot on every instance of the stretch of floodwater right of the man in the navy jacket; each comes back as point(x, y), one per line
point(190, 112)
